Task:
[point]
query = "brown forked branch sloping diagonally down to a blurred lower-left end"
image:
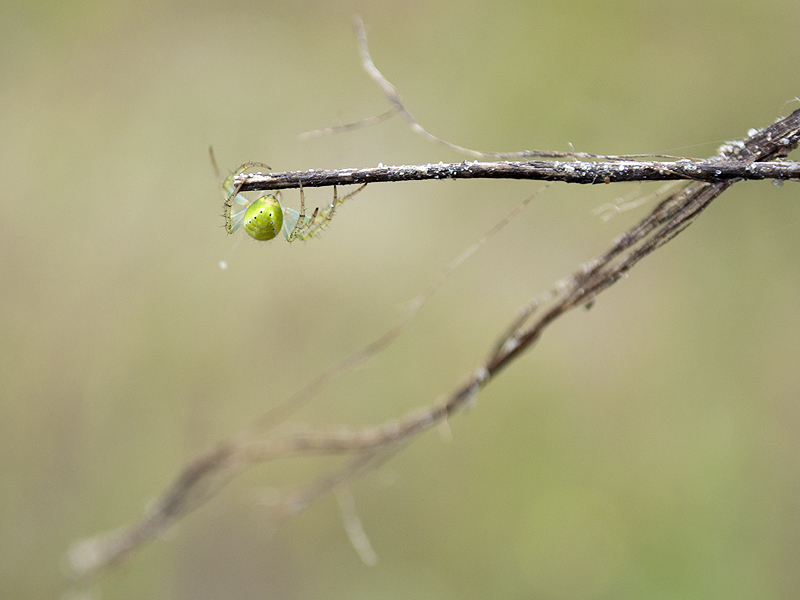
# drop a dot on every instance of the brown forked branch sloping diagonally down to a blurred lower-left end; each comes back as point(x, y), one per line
point(366, 447)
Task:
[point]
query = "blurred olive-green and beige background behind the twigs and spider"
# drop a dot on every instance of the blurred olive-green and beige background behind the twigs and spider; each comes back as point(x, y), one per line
point(647, 448)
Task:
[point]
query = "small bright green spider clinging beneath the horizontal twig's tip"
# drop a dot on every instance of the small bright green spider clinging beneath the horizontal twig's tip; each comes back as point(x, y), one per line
point(265, 217)
